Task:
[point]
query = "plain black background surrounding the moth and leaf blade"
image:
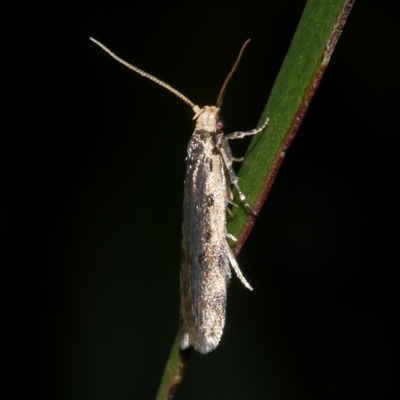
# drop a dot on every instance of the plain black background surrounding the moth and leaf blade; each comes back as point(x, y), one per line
point(93, 189)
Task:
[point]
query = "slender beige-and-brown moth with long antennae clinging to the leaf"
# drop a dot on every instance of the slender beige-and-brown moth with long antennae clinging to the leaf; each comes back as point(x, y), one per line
point(207, 258)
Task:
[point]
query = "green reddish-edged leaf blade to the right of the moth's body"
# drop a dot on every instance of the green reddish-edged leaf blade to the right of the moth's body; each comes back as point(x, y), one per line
point(308, 56)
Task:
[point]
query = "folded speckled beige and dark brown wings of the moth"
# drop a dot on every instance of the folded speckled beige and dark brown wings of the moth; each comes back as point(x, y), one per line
point(205, 269)
